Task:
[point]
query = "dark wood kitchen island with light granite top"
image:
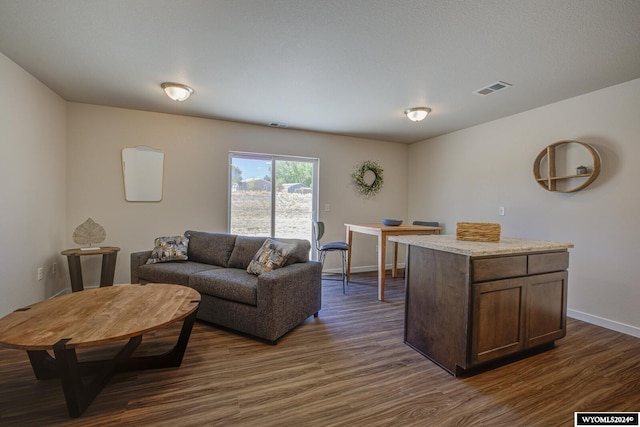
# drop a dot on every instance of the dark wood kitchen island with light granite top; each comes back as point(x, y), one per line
point(471, 303)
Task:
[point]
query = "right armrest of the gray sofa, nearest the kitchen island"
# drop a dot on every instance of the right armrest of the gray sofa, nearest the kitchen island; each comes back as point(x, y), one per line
point(288, 295)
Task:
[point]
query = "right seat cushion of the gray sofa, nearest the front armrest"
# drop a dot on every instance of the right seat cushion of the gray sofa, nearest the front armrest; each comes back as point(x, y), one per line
point(228, 283)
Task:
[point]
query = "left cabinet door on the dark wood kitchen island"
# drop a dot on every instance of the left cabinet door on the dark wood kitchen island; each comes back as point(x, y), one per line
point(498, 319)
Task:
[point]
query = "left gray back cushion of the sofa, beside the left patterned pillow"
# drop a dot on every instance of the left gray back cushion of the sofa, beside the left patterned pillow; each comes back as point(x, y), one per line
point(210, 248)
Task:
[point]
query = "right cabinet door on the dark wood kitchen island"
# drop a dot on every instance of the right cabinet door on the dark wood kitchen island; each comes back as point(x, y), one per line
point(547, 308)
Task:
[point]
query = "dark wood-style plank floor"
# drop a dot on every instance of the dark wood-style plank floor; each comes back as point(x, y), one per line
point(349, 367)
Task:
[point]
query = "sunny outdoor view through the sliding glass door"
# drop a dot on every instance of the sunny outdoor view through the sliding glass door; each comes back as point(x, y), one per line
point(272, 195)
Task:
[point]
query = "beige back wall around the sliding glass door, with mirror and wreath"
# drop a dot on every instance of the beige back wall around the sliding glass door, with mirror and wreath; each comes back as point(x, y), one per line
point(196, 178)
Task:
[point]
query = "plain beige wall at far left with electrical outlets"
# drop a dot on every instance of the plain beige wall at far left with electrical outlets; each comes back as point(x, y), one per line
point(32, 188)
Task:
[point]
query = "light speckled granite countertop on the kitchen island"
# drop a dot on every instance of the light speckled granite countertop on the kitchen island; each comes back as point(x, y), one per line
point(506, 245)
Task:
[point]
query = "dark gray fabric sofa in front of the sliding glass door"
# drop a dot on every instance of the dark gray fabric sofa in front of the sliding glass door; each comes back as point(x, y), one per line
point(265, 306)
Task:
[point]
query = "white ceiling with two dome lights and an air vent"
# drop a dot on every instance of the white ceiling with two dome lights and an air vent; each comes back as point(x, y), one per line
point(348, 67)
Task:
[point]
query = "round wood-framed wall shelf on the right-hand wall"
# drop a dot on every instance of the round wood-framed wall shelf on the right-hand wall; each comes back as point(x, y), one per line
point(550, 180)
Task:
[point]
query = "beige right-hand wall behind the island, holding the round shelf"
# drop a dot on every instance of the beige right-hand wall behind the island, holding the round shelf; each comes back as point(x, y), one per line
point(467, 175)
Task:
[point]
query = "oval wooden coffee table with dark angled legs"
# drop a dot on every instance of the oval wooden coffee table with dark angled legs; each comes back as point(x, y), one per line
point(96, 317)
